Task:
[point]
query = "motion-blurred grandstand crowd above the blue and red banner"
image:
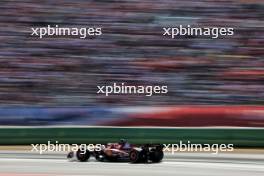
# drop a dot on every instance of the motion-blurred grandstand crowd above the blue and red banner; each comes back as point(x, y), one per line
point(66, 71)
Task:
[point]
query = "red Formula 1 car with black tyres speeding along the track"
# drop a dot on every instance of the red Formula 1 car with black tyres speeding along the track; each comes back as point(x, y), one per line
point(122, 151)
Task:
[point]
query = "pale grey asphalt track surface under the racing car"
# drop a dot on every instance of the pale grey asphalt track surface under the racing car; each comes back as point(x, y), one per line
point(17, 163)
